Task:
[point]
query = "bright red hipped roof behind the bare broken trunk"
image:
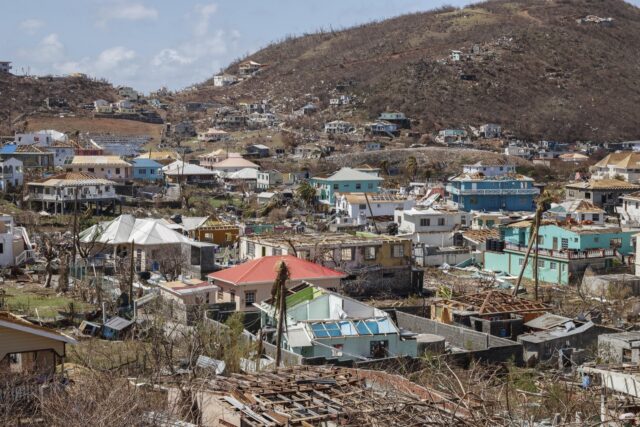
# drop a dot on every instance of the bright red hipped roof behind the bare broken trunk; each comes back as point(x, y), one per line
point(263, 270)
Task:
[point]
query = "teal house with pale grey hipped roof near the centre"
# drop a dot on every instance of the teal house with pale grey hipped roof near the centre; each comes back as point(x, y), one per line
point(346, 180)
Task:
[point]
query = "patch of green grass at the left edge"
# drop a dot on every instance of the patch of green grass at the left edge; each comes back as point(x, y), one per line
point(26, 299)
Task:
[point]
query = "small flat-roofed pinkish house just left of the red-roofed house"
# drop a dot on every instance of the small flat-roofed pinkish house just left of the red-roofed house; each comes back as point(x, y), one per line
point(188, 298)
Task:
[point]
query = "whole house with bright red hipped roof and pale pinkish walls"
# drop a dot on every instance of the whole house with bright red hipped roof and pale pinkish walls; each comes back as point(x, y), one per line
point(251, 282)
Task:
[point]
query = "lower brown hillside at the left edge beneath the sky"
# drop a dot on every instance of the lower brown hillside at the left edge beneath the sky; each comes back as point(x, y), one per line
point(20, 96)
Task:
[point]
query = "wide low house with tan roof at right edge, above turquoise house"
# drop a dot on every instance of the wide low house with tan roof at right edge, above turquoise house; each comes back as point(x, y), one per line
point(605, 193)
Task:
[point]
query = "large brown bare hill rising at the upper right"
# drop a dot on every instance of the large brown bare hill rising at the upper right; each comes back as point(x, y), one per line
point(538, 72)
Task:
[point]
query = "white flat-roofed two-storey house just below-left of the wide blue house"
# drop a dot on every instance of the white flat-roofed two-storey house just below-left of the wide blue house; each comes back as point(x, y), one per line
point(433, 227)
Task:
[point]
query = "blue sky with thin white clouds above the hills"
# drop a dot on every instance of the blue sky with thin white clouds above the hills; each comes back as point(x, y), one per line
point(174, 43)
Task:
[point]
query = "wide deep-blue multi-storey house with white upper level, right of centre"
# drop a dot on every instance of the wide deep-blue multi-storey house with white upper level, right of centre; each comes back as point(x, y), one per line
point(492, 188)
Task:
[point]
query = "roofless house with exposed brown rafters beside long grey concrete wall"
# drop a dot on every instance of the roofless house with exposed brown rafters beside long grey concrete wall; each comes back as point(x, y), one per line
point(494, 312)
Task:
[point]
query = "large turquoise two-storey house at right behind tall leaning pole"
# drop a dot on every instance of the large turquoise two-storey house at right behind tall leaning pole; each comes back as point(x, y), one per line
point(564, 251)
